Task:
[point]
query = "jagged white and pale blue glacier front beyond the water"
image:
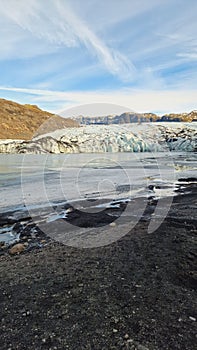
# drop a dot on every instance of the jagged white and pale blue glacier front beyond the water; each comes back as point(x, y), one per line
point(117, 138)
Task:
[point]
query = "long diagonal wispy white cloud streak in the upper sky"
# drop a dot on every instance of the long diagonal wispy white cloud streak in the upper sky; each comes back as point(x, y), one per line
point(58, 25)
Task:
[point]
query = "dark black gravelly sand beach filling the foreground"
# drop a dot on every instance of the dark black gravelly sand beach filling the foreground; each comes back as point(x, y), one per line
point(136, 293)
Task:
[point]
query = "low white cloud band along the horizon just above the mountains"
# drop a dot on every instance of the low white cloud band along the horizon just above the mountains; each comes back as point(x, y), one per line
point(137, 100)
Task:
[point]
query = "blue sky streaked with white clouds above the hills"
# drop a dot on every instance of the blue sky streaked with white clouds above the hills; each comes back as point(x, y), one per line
point(138, 54)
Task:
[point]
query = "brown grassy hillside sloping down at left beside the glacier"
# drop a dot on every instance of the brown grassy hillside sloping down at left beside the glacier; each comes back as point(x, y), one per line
point(24, 121)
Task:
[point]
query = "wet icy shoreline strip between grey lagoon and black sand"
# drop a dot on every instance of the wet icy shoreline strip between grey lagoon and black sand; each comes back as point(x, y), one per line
point(31, 225)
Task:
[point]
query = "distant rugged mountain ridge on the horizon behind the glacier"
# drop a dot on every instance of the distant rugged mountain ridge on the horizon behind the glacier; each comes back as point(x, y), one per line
point(132, 117)
